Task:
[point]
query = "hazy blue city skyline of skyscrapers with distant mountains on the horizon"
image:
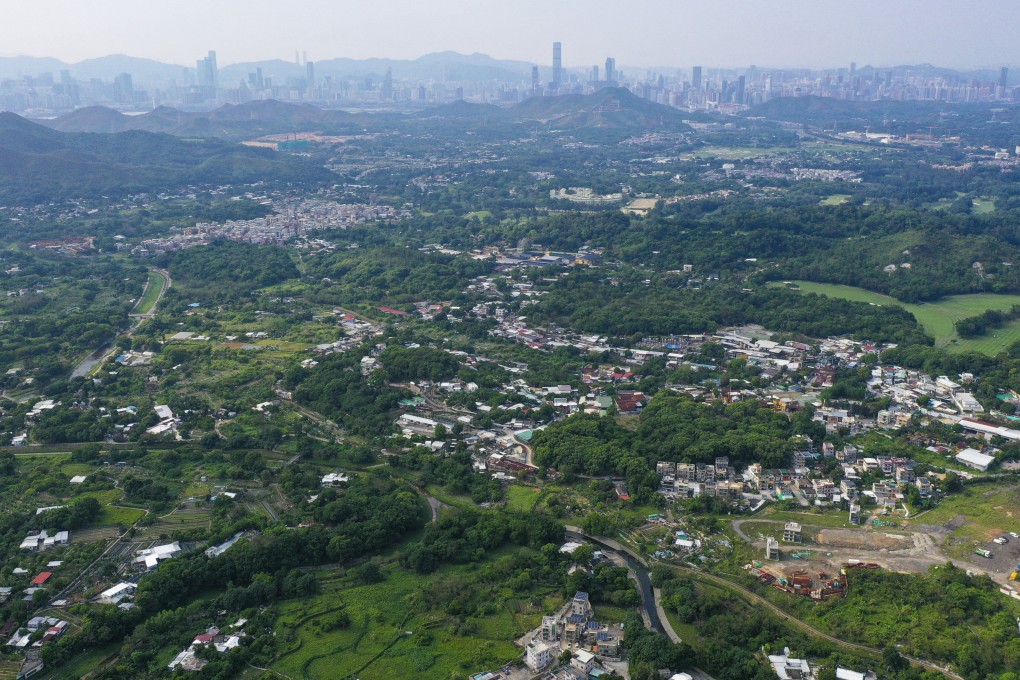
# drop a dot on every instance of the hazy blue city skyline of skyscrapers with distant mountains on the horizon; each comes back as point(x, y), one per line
point(446, 78)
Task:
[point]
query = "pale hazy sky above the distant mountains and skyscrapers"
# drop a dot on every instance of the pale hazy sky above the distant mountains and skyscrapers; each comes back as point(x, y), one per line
point(682, 33)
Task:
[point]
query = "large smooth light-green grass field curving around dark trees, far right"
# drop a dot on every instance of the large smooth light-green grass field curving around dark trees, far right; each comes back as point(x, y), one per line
point(938, 318)
